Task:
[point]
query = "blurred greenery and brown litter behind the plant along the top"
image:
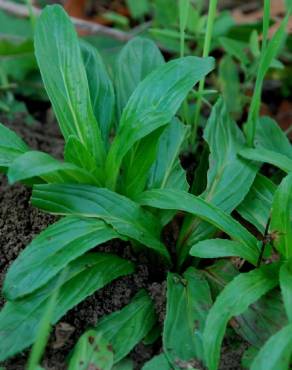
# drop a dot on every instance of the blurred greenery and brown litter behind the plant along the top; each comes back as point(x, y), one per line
point(108, 25)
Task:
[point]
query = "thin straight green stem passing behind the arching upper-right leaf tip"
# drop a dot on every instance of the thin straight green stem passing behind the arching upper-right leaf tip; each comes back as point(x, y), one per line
point(206, 50)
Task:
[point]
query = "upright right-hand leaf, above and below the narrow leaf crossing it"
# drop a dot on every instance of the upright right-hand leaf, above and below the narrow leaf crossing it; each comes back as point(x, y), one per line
point(229, 177)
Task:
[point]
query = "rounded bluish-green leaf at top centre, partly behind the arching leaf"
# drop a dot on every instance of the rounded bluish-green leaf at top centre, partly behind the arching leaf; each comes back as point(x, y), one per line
point(138, 58)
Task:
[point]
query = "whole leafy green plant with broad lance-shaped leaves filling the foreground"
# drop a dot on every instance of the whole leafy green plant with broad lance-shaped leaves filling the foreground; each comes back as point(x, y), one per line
point(122, 178)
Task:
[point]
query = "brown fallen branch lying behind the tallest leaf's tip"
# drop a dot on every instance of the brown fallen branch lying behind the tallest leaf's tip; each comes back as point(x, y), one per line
point(93, 28)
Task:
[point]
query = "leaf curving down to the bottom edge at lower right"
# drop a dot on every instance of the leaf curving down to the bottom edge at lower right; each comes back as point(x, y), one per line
point(232, 301)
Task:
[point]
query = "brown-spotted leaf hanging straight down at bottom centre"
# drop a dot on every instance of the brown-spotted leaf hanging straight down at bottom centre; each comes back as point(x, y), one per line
point(188, 302)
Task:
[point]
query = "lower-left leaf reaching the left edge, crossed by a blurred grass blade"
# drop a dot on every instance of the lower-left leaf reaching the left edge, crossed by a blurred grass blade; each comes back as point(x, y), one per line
point(19, 320)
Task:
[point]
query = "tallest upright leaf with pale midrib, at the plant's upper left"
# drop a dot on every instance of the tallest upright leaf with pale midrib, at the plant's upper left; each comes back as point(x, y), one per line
point(64, 76)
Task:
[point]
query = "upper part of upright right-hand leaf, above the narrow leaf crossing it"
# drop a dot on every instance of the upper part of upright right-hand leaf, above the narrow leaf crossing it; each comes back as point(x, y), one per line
point(229, 177)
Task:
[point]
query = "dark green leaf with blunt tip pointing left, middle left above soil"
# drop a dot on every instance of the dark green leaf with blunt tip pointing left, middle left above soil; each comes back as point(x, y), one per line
point(124, 215)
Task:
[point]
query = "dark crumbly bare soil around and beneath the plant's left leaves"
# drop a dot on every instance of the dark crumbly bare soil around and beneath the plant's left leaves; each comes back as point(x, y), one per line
point(20, 222)
